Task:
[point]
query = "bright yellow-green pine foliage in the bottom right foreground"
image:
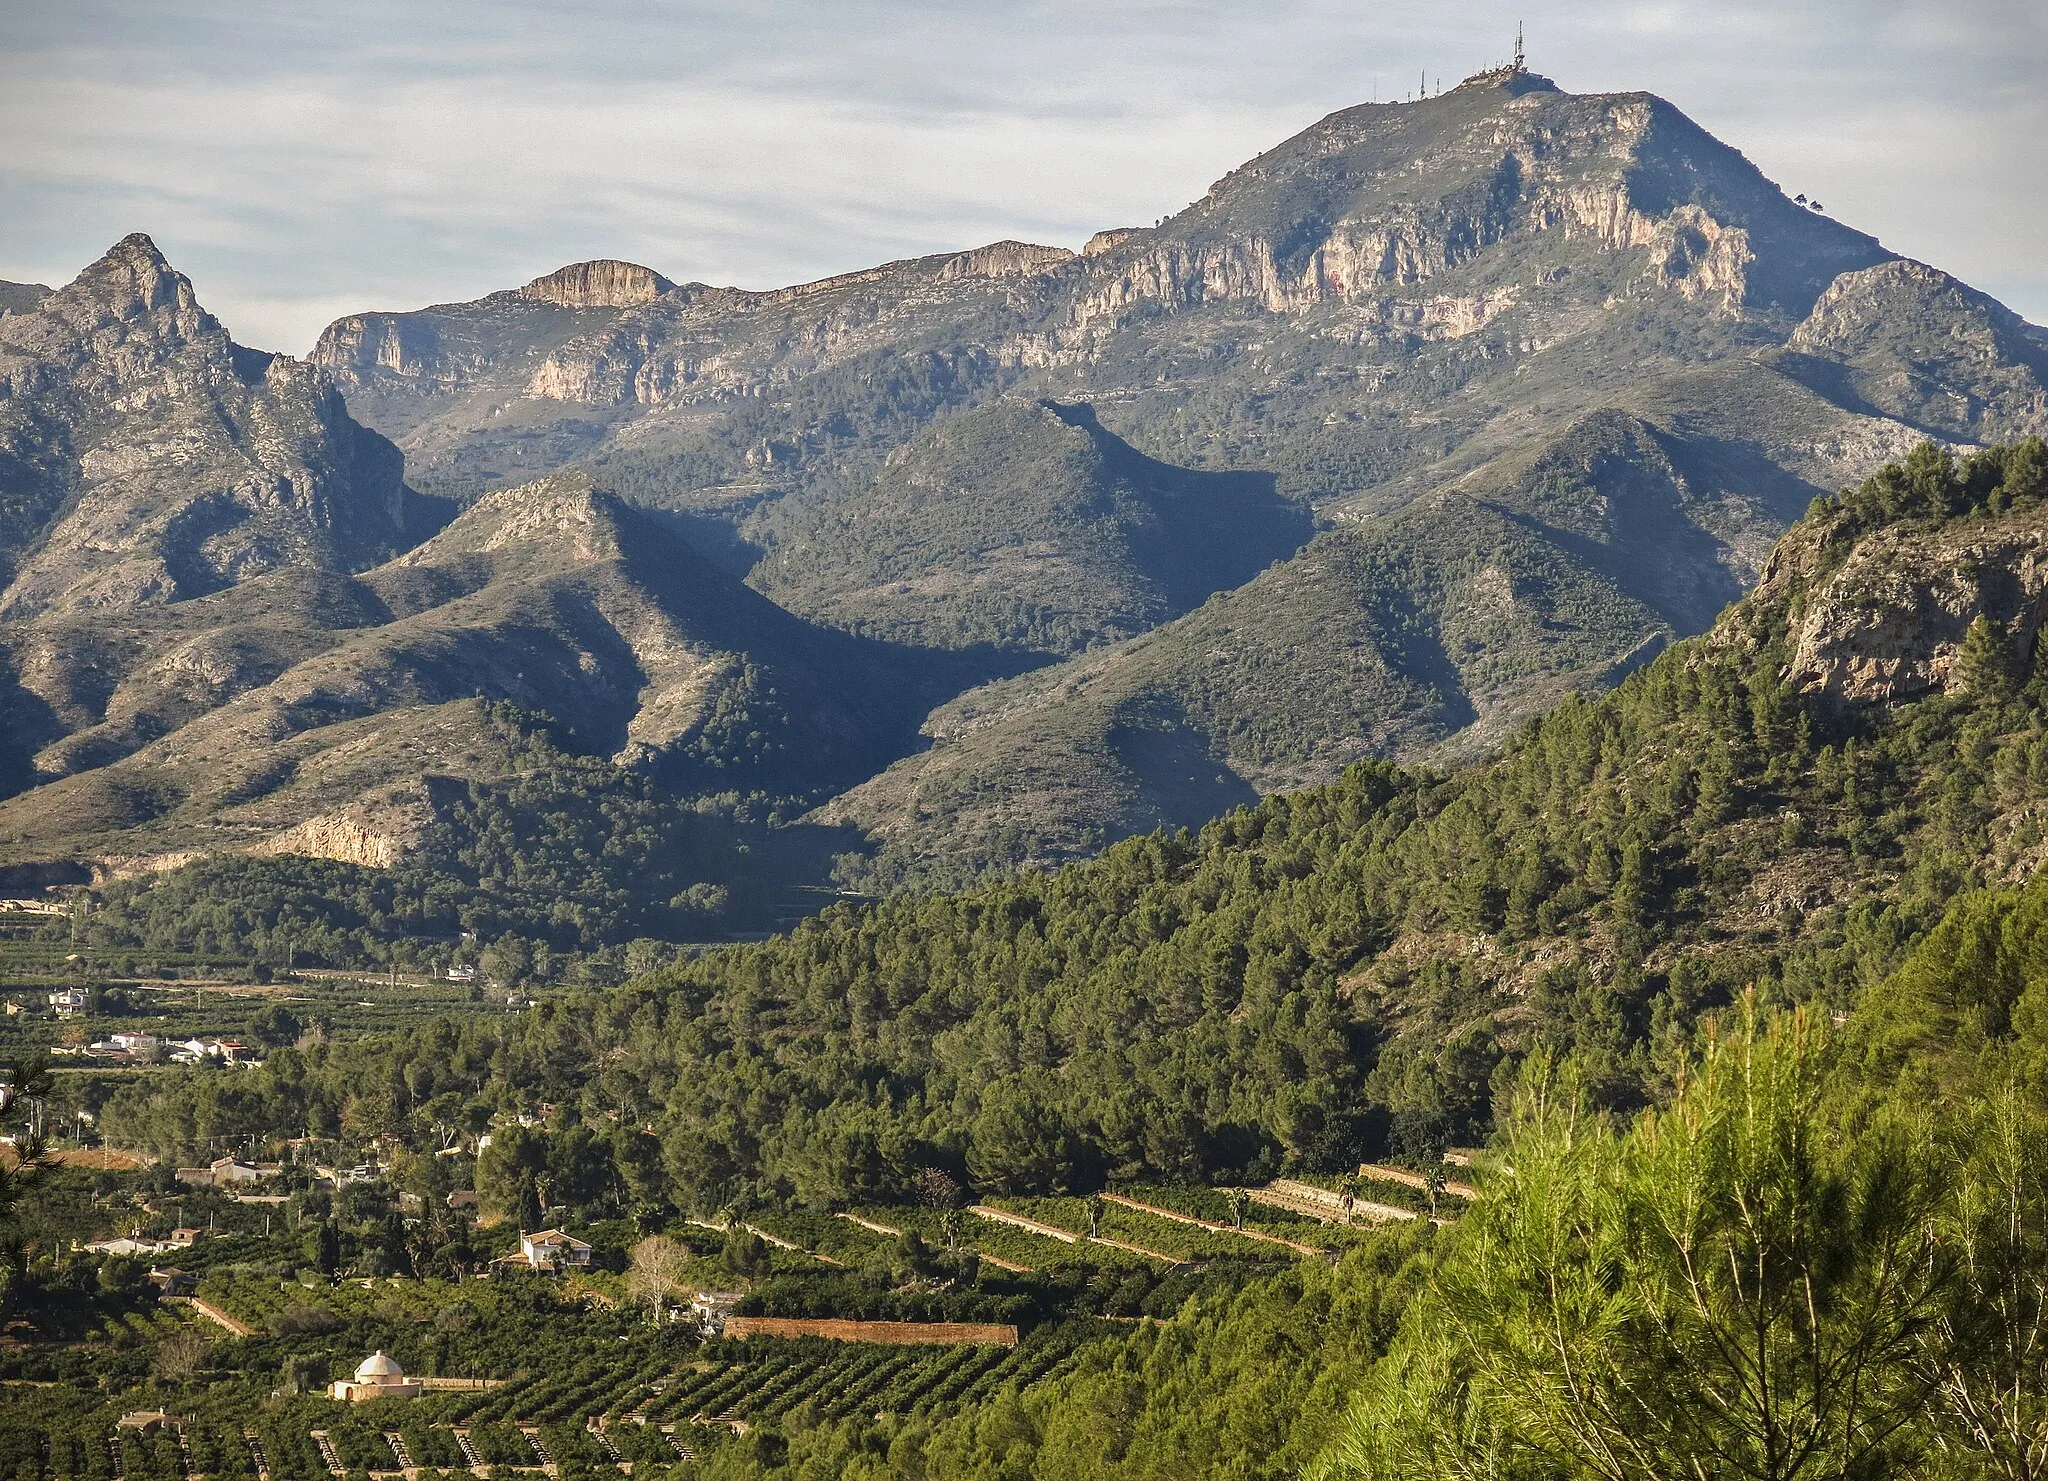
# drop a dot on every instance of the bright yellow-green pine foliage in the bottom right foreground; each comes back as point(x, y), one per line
point(1725, 1285)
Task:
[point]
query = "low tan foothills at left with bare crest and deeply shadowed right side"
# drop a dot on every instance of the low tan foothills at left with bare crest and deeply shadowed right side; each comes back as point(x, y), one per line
point(552, 597)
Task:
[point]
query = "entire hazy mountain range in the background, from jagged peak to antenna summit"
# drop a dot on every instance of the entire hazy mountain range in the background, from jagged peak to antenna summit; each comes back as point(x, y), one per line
point(1408, 429)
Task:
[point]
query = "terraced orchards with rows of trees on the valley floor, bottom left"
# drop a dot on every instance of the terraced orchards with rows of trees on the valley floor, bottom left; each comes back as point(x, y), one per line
point(585, 1380)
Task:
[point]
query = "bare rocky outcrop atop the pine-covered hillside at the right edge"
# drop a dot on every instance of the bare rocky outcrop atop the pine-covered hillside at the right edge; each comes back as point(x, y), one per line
point(1889, 622)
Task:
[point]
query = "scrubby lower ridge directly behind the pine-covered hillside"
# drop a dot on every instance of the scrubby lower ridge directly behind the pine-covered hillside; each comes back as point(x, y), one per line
point(1428, 632)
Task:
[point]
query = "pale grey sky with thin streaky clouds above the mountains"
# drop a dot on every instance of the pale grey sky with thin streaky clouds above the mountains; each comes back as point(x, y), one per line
point(308, 159)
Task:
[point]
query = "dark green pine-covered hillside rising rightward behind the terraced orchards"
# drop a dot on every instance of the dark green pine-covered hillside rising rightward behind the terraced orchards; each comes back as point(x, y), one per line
point(1342, 970)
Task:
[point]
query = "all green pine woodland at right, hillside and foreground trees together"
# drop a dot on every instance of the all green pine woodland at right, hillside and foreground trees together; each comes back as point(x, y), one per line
point(1824, 812)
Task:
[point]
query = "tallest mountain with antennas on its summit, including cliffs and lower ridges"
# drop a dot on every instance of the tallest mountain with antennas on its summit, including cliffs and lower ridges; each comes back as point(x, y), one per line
point(1394, 316)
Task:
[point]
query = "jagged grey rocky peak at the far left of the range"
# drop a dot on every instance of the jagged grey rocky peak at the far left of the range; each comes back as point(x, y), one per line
point(146, 458)
